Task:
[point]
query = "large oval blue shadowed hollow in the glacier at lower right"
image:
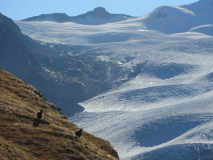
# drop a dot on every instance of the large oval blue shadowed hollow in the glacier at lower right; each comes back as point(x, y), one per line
point(164, 130)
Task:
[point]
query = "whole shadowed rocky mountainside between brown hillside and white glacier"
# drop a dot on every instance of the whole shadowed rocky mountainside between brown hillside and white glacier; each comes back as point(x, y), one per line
point(65, 80)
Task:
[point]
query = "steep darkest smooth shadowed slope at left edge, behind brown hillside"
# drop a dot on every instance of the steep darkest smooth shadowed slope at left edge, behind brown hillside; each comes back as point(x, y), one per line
point(17, 57)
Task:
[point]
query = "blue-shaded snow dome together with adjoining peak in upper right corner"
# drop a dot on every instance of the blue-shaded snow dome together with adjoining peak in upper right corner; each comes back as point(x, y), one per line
point(169, 19)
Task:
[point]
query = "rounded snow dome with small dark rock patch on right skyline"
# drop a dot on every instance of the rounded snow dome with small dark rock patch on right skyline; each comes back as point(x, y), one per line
point(169, 19)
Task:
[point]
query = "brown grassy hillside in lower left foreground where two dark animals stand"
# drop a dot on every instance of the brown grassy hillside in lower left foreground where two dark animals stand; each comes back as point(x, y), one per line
point(23, 136)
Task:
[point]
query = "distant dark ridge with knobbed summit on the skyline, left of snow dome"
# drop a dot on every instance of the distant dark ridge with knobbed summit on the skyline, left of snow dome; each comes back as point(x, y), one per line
point(96, 17)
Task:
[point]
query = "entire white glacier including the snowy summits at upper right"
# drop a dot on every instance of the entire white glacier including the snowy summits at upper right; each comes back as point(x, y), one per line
point(161, 106)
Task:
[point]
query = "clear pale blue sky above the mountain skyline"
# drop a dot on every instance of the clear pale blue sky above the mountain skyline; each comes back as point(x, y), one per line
point(21, 9)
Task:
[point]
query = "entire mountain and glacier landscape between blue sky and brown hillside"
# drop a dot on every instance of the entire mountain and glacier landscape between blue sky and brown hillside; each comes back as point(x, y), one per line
point(145, 84)
